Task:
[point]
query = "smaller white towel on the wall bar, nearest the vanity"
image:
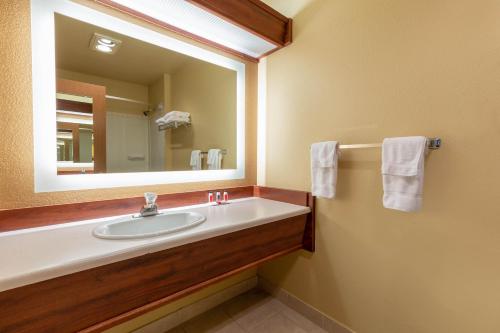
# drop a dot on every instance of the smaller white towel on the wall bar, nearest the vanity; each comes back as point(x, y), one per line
point(324, 165)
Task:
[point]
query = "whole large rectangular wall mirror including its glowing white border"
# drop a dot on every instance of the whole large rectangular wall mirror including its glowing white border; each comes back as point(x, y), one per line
point(116, 104)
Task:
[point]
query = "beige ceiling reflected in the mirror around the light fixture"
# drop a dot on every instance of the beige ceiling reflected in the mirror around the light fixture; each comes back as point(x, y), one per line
point(135, 61)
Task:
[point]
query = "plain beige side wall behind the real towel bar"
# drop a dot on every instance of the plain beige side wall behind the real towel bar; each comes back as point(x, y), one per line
point(359, 71)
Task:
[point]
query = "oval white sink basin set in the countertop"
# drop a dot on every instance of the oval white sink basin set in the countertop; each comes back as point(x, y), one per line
point(143, 227)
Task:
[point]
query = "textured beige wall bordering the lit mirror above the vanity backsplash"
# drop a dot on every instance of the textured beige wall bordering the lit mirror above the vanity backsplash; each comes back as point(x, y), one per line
point(16, 166)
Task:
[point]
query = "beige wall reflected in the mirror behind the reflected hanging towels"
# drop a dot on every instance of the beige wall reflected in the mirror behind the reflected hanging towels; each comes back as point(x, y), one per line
point(208, 93)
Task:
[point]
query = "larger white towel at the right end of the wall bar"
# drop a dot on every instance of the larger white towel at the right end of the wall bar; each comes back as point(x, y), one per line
point(403, 172)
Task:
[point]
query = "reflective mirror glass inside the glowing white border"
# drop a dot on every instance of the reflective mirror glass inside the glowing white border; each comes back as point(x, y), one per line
point(124, 105)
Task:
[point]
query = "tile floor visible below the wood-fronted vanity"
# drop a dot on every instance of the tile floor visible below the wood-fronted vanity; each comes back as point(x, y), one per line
point(252, 312)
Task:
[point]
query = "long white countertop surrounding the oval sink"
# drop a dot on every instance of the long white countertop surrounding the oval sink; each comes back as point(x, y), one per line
point(32, 255)
